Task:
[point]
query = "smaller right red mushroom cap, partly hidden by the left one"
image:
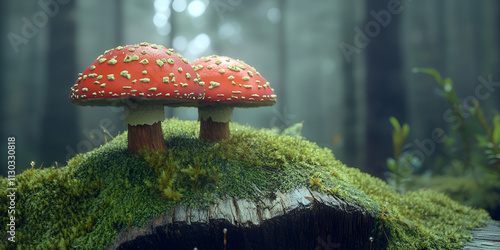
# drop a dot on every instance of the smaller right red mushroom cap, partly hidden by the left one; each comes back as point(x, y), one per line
point(232, 82)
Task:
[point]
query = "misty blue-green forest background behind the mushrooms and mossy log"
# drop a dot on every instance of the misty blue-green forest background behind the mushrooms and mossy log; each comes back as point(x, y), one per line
point(340, 70)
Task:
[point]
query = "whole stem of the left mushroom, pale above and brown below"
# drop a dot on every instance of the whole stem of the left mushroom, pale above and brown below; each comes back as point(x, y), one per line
point(144, 128)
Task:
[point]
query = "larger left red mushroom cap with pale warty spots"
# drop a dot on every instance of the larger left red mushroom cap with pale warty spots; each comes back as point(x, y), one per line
point(144, 71)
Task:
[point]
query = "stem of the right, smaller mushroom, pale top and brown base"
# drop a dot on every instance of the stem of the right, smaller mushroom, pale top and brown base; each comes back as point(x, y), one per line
point(214, 123)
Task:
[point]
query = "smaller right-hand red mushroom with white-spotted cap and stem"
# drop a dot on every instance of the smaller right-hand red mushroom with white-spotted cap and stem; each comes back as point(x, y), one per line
point(228, 83)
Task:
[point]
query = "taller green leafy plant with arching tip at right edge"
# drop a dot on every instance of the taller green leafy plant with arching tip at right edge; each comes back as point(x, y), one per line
point(471, 150)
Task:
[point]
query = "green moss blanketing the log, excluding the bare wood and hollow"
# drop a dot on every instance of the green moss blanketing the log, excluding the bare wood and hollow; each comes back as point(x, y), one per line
point(103, 192)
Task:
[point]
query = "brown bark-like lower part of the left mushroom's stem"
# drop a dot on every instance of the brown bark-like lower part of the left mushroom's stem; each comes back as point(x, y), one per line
point(148, 137)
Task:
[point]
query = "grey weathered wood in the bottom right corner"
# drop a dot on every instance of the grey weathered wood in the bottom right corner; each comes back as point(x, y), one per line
point(485, 237)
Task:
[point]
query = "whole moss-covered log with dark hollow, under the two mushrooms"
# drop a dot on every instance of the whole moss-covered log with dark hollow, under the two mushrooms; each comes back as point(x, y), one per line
point(291, 193)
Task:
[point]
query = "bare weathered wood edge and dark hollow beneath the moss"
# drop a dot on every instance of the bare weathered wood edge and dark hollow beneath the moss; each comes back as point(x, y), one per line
point(301, 219)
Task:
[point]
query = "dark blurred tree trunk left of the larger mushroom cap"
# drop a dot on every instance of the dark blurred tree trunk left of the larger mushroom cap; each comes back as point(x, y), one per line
point(59, 119)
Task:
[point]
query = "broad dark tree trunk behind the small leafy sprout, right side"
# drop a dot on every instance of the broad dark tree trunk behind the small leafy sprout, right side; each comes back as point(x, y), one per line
point(385, 89)
